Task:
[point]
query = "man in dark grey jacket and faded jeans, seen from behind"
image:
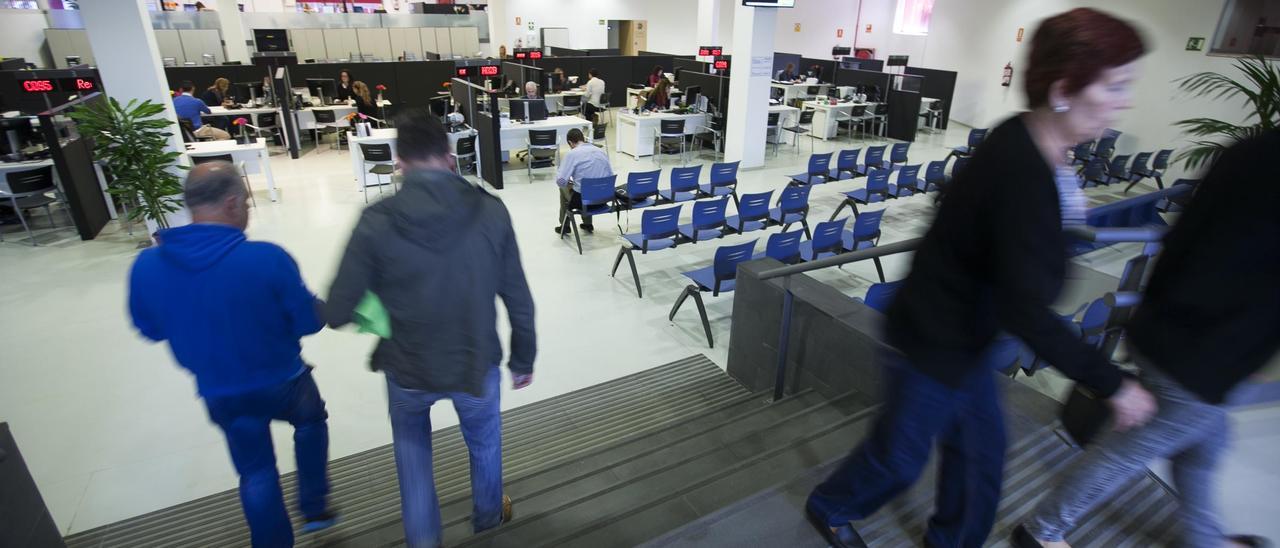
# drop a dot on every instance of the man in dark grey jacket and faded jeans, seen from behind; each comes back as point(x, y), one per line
point(437, 255)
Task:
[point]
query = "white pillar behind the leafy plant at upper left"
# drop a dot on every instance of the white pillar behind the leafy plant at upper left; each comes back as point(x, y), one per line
point(129, 61)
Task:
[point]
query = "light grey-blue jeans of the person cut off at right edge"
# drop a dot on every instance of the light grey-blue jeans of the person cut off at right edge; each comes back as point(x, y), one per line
point(1187, 431)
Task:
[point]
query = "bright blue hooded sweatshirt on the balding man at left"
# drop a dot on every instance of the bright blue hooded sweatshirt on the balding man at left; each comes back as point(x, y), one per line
point(232, 310)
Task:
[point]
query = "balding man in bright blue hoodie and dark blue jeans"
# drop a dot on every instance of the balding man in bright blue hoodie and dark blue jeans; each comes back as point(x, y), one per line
point(234, 312)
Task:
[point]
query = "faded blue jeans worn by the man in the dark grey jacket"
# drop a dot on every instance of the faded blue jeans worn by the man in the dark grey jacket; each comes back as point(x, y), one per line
point(412, 437)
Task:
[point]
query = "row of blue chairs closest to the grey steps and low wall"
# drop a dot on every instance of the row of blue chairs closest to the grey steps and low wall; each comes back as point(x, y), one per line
point(829, 239)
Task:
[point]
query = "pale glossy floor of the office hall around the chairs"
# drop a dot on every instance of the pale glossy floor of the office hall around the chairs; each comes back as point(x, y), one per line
point(111, 427)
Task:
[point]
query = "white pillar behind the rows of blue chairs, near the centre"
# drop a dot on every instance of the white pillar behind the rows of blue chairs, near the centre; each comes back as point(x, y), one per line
point(749, 85)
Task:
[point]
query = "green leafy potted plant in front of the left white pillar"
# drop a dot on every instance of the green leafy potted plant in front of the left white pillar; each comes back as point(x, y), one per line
point(134, 139)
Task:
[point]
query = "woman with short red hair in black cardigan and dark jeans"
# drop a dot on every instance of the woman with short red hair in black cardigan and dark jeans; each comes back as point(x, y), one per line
point(994, 261)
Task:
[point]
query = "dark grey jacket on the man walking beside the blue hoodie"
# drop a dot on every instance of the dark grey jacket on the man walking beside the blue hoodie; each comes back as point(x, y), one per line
point(438, 254)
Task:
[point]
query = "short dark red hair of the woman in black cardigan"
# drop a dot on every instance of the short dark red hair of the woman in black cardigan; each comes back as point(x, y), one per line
point(1076, 47)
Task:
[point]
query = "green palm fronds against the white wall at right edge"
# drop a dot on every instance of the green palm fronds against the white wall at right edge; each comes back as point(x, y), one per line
point(1260, 88)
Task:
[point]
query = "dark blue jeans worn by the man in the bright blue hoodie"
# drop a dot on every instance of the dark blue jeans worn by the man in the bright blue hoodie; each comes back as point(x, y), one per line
point(246, 421)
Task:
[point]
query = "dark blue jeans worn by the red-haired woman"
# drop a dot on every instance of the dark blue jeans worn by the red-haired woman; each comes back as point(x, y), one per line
point(968, 426)
